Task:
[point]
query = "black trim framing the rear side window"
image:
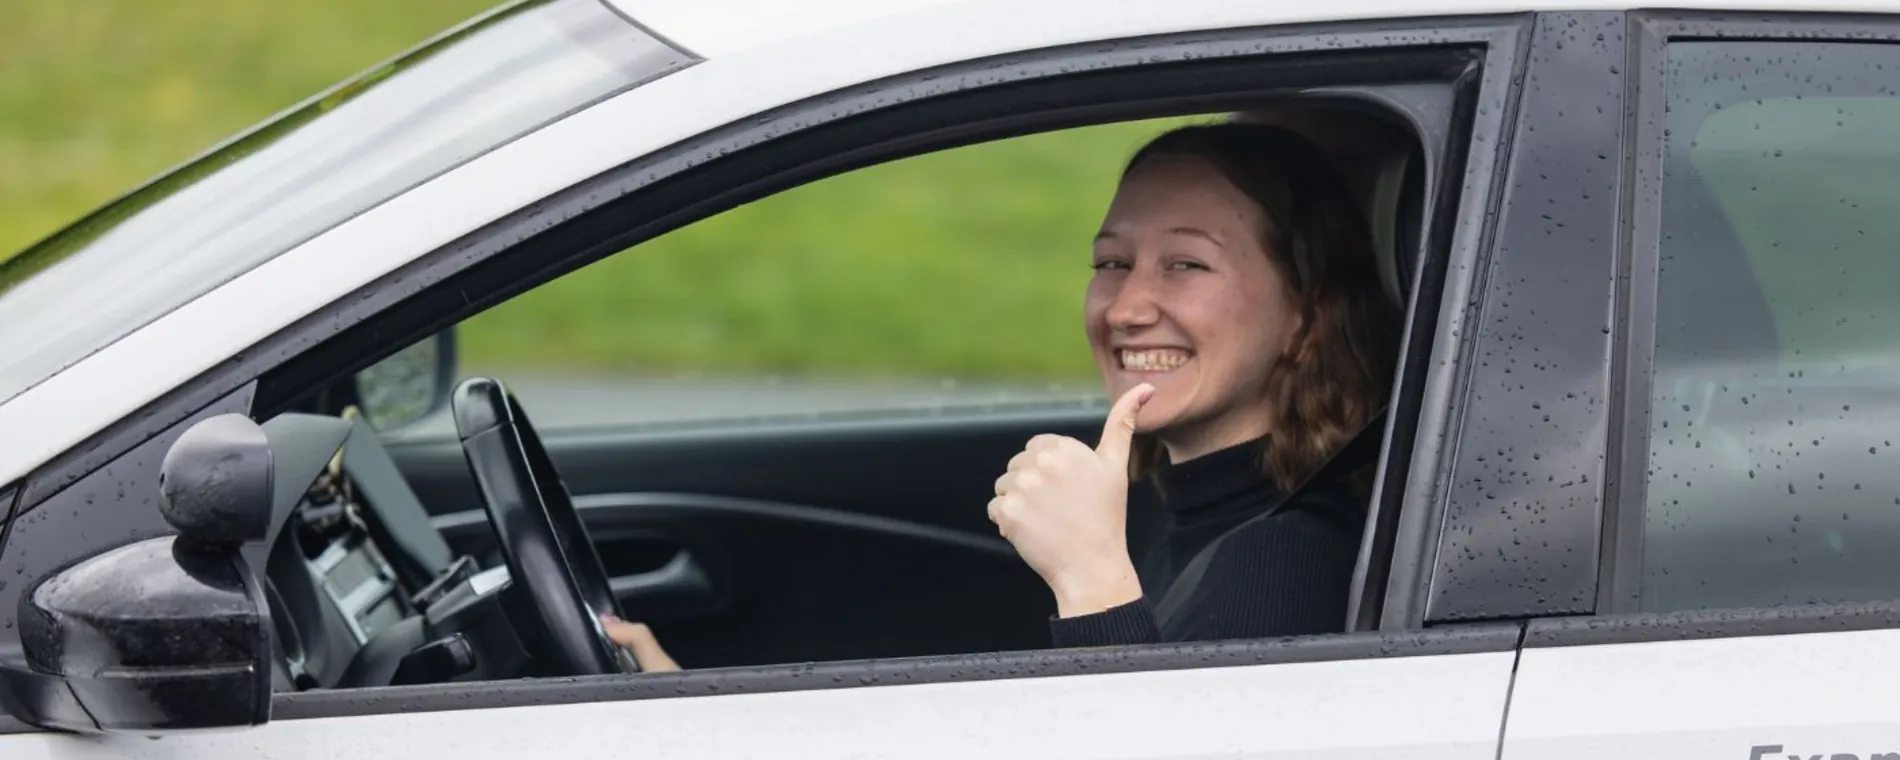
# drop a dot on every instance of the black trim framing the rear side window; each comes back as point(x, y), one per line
point(1620, 588)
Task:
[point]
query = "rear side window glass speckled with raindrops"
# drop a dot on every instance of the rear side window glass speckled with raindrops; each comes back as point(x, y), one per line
point(1776, 402)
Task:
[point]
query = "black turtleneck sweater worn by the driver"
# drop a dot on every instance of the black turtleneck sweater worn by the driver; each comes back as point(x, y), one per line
point(1263, 575)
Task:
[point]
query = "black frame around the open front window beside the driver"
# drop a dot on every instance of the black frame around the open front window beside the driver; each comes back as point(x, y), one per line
point(427, 295)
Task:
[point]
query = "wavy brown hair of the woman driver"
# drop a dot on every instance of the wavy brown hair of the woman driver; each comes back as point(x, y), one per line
point(1340, 366)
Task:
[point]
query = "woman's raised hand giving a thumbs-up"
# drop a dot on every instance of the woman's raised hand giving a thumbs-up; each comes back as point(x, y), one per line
point(1065, 508)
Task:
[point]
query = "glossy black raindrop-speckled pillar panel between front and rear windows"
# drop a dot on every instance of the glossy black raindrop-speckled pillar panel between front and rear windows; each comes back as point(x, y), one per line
point(1540, 295)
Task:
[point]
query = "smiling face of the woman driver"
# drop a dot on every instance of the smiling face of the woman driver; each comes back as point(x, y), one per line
point(1187, 299)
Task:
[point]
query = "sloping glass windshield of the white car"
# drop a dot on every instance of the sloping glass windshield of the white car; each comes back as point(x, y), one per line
point(309, 170)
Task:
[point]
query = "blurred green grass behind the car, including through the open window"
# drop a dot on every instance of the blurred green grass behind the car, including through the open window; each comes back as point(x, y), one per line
point(970, 263)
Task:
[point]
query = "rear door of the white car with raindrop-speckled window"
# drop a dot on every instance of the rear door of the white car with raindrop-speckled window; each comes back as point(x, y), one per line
point(1751, 582)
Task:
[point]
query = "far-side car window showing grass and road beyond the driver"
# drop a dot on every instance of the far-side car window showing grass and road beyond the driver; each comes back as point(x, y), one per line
point(926, 286)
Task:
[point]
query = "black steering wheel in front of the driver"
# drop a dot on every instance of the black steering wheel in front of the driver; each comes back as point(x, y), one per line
point(552, 561)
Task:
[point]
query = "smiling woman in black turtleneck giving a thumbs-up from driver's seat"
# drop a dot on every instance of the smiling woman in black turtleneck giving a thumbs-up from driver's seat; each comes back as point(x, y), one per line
point(1238, 320)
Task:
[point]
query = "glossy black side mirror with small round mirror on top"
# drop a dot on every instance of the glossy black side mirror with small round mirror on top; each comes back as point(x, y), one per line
point(168, 634)
